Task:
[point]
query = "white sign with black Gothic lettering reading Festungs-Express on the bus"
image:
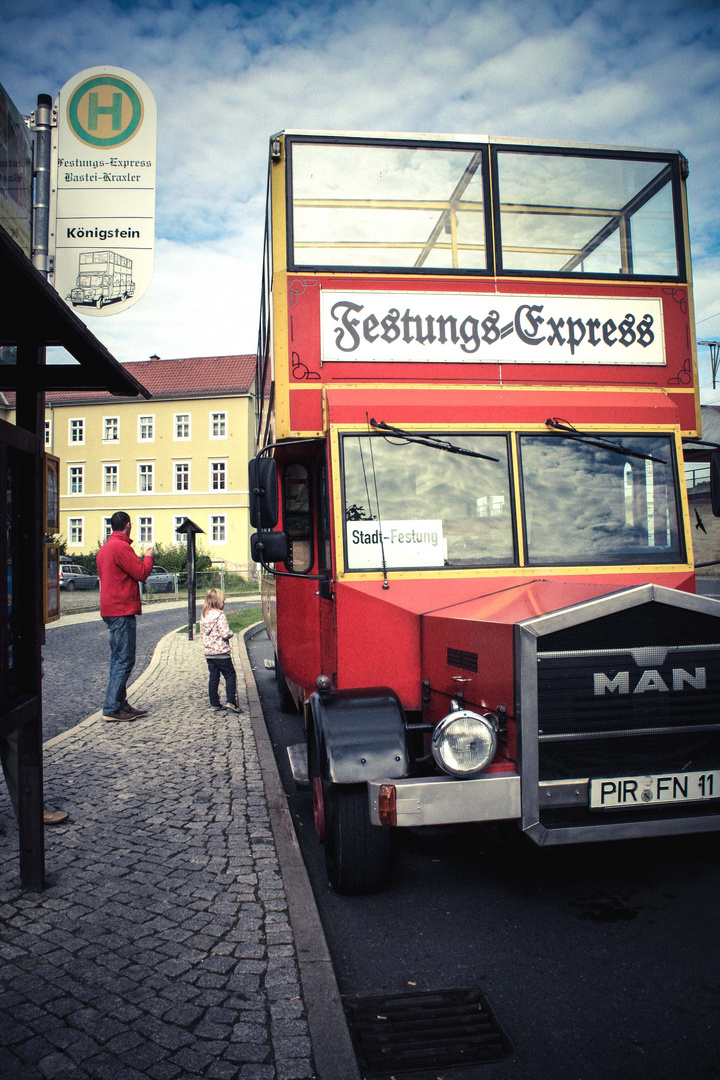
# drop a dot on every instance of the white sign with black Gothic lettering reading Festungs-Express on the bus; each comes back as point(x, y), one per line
point(460, 328)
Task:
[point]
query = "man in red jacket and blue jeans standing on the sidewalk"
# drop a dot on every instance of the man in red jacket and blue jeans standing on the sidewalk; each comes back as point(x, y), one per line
point(120, 570)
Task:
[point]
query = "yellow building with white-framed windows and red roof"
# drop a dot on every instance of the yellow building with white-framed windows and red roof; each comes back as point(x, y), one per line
point(183, 454)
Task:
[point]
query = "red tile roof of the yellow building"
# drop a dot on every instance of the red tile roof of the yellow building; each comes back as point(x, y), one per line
point(191, 377)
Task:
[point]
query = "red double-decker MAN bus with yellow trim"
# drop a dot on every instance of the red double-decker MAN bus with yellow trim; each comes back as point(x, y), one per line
point(477, 368)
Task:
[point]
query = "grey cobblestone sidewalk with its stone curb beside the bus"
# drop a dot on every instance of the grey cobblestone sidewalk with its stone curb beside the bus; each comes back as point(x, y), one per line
point(178, 936)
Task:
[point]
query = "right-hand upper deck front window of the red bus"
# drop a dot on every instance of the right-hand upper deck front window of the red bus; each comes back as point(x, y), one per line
point(575, 214)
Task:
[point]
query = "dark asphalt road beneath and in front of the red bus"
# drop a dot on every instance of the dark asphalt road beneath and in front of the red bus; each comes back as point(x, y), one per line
point(602, 962)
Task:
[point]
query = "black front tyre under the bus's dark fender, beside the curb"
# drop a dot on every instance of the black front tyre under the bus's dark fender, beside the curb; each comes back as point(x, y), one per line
point(358, 855)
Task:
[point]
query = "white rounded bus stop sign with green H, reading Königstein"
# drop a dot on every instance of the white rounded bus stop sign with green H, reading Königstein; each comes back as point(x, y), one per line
point(104, 184)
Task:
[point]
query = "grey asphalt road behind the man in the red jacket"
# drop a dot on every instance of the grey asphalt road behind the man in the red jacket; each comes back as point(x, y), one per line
point(77, 661)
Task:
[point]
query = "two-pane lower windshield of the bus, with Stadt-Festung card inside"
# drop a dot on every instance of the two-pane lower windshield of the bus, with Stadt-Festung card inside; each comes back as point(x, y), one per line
point(410, 506)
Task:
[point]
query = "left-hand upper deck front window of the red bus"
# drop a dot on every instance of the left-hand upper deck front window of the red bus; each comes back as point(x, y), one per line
point(376, 207)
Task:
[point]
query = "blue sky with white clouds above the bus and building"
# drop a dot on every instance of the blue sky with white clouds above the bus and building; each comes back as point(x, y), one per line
point(228, 75)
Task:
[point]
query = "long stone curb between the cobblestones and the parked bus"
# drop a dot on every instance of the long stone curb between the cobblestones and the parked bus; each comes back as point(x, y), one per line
point(335, 1058)
